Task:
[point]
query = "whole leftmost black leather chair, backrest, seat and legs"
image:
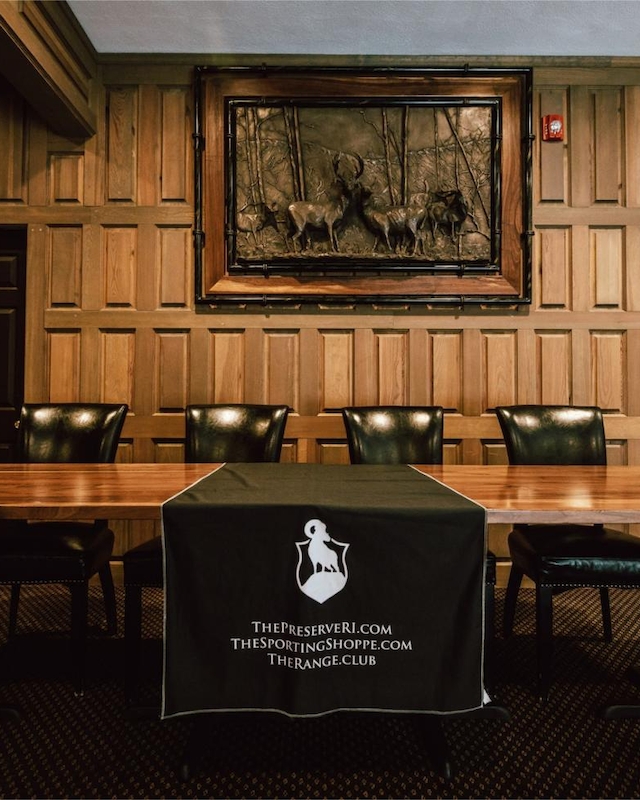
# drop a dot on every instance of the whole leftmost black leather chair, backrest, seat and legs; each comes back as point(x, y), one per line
point(69, 553)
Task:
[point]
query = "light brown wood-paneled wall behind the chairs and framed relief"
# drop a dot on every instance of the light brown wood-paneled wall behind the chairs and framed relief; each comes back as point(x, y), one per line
point(110, 286)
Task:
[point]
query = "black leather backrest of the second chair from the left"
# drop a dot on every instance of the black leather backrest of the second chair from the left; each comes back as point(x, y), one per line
point(234, 432)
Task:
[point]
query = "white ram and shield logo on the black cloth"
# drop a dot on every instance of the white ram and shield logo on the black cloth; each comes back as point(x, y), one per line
point(322, 566)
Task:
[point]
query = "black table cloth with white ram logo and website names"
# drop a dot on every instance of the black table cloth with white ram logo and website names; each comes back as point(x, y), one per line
point(306, 589)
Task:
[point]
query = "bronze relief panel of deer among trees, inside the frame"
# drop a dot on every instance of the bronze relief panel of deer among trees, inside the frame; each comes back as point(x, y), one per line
point(347, 185)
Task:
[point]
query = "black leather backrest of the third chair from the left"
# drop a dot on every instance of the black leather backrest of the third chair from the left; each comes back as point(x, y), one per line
point(394, 434)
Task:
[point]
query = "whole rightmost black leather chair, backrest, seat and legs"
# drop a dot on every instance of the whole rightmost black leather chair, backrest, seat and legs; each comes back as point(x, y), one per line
point(562, 557)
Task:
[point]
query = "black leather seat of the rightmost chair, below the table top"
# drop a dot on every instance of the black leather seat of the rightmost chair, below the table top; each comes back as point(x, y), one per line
point(576, 555)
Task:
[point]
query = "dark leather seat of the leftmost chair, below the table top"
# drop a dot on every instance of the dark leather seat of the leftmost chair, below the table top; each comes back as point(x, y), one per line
point(53, 551)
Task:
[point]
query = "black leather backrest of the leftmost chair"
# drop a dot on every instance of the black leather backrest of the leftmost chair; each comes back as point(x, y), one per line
point(79, 433)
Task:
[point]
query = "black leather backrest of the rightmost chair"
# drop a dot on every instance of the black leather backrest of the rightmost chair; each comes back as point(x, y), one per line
point(539, 434)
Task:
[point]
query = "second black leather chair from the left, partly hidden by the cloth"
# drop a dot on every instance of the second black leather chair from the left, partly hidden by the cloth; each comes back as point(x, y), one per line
point(214, 433)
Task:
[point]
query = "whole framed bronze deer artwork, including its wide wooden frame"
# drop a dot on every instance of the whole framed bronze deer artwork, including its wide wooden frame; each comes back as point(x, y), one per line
point(374, 186)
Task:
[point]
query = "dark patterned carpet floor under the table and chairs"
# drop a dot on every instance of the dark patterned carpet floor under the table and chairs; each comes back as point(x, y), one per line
point(65, 746)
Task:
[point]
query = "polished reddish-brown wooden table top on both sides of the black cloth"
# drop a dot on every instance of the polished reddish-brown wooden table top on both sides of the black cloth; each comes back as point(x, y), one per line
point(137, 491)
